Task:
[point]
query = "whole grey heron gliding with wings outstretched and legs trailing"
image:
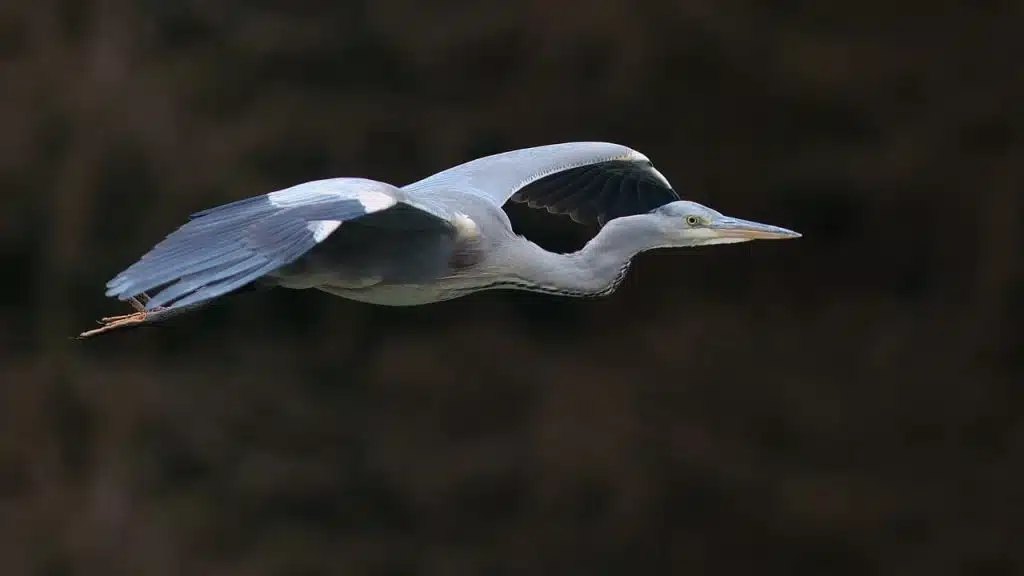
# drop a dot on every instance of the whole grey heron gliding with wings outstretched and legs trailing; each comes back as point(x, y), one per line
point(440, 238)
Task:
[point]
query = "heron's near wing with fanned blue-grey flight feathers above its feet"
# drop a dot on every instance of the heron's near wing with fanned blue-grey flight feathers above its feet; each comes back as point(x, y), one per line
point(225, 249)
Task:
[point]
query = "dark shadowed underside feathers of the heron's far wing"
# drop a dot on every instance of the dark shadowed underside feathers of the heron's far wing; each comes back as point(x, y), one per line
point(598, 193)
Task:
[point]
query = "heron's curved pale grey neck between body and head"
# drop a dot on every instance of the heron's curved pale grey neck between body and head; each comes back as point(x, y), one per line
point(599, 268)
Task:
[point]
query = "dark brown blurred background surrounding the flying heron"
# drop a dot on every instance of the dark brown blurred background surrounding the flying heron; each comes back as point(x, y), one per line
point(849, 403)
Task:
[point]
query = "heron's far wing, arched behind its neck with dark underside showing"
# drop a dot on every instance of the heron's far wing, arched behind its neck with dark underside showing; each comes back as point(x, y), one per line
point(591, 182)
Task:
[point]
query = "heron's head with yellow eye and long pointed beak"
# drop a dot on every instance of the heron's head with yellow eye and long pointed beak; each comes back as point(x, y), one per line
point(691, 224)
